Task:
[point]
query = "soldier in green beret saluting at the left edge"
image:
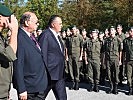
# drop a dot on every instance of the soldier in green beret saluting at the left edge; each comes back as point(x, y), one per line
point(7, 50)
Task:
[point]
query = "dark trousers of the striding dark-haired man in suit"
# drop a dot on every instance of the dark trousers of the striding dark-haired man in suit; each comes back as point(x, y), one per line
point(58, 88)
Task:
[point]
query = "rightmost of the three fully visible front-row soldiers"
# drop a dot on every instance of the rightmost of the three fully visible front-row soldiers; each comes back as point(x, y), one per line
point(113, 48)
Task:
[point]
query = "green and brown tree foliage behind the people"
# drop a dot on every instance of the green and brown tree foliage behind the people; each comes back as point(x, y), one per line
point(82, 13)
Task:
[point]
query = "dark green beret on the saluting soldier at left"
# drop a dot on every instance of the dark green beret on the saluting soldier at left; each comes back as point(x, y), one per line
point(5, 11)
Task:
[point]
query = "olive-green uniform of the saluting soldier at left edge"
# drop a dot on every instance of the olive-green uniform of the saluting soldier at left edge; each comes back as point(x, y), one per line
point(7, 55)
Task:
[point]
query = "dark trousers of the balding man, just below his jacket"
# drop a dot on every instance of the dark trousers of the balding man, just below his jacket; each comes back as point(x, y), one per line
point(35, 96)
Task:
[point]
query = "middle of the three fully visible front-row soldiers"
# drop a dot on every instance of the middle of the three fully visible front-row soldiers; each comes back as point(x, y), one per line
point(92, 57)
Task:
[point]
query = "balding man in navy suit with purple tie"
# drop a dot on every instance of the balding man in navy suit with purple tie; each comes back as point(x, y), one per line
point(30, 77)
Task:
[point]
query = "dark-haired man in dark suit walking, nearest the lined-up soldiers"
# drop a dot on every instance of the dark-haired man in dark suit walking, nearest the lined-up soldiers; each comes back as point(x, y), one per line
point(53, 53)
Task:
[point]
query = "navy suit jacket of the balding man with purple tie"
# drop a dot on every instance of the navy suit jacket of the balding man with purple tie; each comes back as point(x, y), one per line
point(29, 68)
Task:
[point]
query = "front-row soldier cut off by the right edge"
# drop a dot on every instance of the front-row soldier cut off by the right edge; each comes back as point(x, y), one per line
point(128, 49)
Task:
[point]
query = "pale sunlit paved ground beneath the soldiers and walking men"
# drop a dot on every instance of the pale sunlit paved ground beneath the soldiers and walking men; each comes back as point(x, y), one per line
point(83, 94)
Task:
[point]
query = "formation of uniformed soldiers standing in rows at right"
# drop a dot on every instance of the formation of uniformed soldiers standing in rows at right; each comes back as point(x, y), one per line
point(103, 55)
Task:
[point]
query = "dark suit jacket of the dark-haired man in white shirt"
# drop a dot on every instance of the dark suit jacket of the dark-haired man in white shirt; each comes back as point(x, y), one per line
point(52, 55)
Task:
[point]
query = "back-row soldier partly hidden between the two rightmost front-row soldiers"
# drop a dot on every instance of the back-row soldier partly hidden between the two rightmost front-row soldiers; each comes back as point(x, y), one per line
point(121, 37)
